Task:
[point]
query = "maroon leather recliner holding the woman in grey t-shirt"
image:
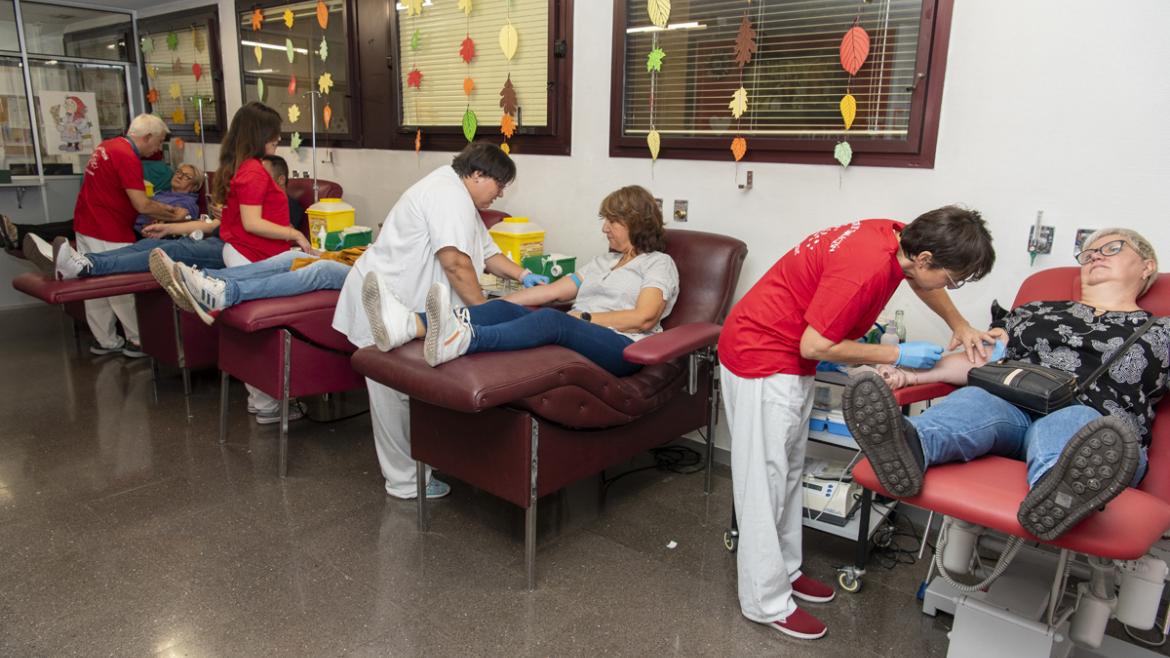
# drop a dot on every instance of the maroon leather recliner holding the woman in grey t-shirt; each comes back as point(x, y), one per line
point(525, 424)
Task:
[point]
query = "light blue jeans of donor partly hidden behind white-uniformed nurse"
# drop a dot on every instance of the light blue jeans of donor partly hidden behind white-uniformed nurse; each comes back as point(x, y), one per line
point(273, 278)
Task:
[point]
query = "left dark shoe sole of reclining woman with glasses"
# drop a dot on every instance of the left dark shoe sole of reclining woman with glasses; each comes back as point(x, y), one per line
point(876, 422)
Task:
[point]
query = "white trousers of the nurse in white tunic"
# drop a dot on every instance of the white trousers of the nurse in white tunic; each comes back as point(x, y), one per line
point(390, 412)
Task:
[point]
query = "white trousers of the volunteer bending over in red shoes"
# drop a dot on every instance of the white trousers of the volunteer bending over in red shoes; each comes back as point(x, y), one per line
point(769, 423)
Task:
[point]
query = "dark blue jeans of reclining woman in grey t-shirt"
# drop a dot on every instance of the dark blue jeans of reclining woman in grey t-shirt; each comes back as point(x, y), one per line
point(501, 326)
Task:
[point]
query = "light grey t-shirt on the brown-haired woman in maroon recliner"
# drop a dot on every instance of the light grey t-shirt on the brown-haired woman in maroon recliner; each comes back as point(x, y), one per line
point(607, 290)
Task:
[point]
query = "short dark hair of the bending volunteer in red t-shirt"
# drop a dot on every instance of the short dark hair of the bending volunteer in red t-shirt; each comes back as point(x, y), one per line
point(958, 239)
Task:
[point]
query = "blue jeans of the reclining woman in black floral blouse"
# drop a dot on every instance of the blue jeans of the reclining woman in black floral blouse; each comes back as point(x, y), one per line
point(972, 423)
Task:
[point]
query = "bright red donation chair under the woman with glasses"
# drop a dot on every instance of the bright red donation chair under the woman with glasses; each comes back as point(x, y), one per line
point(988, 492)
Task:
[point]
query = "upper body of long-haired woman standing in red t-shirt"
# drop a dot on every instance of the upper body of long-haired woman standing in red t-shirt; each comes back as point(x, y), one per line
point(256, 222)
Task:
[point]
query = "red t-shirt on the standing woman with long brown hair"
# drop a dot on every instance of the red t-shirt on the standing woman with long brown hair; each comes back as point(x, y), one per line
point(252, 187)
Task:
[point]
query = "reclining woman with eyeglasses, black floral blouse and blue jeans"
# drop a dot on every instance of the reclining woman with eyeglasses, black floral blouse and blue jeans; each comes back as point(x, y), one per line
point(1109, 428)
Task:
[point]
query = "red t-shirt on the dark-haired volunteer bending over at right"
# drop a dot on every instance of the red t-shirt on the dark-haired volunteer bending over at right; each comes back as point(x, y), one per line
point(836, 280)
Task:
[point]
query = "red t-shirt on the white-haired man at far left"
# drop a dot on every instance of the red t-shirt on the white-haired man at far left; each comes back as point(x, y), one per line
point(104, 209)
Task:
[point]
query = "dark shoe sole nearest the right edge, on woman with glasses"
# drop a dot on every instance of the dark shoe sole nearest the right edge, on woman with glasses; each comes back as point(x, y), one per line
point(1096, 467)
